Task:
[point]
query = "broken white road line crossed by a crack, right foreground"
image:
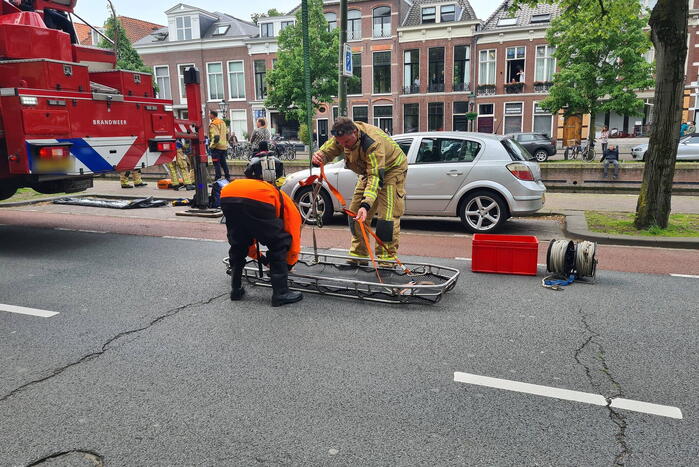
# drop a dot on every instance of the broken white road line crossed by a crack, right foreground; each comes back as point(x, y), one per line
point(567, 394)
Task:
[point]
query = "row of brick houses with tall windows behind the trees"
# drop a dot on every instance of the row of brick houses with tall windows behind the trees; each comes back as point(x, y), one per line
point(422, 65)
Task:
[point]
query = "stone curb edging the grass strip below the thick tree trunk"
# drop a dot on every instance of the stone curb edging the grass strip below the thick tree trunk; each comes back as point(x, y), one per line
point(576, 227)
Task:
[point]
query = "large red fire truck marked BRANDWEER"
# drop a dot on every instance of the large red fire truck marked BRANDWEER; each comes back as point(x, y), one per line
point(66, 113)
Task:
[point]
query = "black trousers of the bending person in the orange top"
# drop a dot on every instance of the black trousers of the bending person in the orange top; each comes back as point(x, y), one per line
point(247, 220)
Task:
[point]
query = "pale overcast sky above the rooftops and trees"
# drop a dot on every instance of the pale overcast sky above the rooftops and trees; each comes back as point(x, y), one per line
point(95, 11)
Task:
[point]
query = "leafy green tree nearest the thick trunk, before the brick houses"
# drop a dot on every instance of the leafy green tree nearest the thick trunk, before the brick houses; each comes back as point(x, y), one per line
point(599, 51)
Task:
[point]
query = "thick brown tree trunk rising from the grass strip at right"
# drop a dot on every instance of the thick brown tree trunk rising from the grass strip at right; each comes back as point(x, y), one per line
point(668, 22)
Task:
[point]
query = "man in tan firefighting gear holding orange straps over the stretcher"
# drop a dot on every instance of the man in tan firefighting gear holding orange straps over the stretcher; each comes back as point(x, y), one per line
point(380, 190)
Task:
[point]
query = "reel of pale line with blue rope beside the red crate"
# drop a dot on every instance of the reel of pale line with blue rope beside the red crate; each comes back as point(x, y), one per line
point(569, 261)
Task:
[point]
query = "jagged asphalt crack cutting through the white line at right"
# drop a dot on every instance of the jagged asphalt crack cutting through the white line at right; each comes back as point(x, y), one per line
point(603, 382)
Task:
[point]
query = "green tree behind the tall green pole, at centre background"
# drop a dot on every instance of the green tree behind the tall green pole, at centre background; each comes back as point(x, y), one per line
point(285, 85)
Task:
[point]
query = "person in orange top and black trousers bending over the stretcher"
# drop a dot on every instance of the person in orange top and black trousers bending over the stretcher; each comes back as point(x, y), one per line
point(257, 211)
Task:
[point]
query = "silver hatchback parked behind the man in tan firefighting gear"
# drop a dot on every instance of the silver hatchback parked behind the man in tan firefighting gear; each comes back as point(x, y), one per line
point(484, 179)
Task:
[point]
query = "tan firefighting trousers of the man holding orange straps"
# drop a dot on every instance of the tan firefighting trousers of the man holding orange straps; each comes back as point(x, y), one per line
point(388, 207)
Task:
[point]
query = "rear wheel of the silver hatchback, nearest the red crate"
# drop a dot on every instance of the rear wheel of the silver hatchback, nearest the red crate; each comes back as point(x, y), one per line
point(483, 212)
